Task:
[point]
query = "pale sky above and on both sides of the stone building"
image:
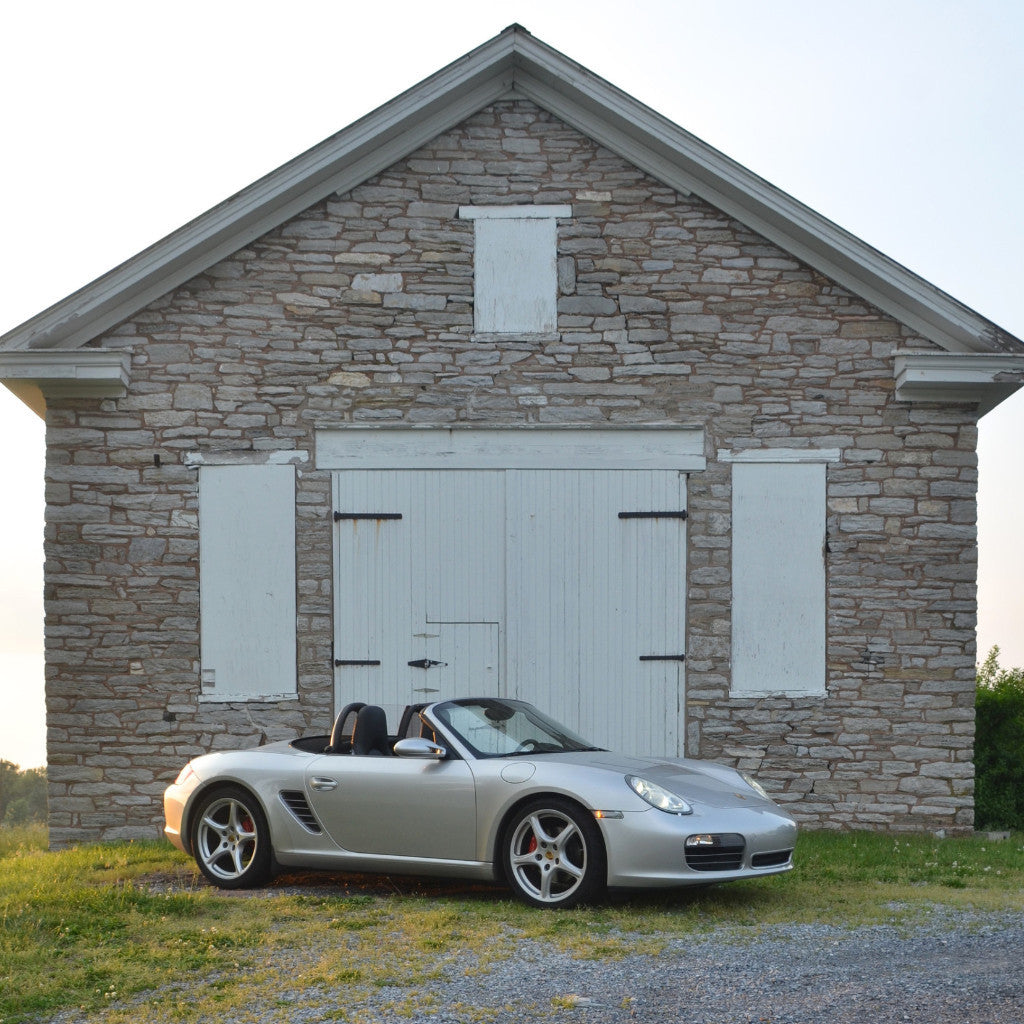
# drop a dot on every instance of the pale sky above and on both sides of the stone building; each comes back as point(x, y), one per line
point(901, 120)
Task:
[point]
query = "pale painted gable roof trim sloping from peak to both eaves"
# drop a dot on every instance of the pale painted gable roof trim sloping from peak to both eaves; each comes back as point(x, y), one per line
point(515, 64)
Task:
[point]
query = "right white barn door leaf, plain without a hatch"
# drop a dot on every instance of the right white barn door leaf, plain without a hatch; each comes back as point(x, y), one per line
point(596, 631)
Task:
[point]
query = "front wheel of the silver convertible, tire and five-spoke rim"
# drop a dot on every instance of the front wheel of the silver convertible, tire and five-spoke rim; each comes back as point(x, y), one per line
point(553, 855)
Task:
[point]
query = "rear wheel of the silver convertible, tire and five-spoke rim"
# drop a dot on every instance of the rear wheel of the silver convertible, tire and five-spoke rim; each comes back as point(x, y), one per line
point(231, 839)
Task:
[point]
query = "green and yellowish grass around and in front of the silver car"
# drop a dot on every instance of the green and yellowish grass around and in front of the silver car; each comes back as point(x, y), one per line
point(86, 929)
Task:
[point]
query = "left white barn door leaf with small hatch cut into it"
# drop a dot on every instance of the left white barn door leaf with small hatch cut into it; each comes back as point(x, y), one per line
point(419, 588)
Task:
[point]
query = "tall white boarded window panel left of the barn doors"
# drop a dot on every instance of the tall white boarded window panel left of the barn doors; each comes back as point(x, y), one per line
point(247, 582)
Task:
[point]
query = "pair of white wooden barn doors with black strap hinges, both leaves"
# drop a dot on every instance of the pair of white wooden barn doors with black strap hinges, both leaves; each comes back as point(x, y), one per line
point(564, 587)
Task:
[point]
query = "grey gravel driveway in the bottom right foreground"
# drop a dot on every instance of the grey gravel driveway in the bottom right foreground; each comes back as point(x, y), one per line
point(962, 971)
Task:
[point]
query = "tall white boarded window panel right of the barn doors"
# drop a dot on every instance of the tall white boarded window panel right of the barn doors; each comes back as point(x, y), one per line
point(779, 578)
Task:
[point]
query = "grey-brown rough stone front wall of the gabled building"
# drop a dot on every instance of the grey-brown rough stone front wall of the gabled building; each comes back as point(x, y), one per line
point(361, 312)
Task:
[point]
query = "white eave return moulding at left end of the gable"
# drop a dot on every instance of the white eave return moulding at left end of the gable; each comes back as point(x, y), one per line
point(82, 373)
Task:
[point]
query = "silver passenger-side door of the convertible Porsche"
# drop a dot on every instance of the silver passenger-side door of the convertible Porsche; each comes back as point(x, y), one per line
point(396, 807)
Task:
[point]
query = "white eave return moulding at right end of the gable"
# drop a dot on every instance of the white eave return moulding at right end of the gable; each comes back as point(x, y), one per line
point(983, 379)
